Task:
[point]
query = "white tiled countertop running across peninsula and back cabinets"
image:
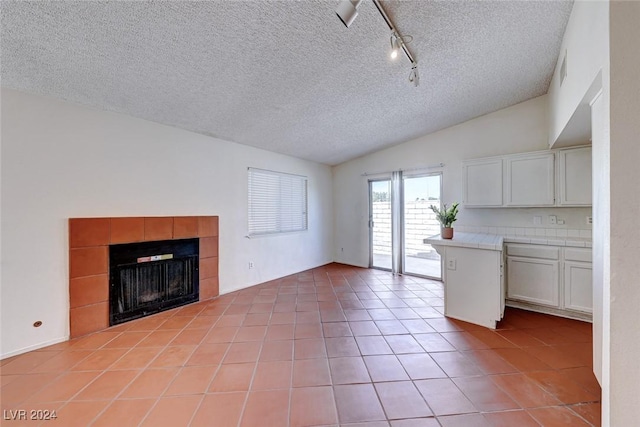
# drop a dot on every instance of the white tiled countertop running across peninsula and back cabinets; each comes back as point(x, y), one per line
point(495, 242)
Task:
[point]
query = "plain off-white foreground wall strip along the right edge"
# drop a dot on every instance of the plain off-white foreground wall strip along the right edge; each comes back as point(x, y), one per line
point(625, 211)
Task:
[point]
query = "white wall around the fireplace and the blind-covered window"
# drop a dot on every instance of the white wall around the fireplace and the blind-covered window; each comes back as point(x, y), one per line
point(61, 160)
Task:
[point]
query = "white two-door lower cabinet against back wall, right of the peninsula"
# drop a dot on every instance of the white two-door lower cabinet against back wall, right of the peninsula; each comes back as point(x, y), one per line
point(559, 279)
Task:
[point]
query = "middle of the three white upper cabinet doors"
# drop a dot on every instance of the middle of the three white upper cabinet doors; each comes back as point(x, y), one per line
point(529, 180)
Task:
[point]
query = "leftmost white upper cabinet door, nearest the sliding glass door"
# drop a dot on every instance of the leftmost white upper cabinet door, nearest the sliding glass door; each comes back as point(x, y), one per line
point(483, 182)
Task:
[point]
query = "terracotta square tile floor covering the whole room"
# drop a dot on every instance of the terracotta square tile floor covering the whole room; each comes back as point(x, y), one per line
point(336, 345)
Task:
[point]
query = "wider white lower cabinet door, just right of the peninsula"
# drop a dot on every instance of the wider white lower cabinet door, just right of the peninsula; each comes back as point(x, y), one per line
point(533, 280)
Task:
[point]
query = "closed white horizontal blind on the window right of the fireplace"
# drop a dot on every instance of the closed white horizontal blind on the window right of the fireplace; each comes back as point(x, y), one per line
point(277, 202)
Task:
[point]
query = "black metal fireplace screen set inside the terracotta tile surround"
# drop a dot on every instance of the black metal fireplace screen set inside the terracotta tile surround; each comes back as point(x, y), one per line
point(150, 277)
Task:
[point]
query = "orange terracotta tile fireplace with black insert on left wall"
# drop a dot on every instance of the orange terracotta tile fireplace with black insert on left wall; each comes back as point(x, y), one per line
point(92, 239)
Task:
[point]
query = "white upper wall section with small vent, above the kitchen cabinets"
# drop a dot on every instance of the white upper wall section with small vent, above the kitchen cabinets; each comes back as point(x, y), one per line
point(585, 43)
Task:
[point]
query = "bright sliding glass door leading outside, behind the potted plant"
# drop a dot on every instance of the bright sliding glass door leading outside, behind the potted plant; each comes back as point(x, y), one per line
point(399, 219)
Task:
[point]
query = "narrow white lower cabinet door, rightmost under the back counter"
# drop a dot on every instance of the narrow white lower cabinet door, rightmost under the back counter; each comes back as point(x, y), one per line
point(578, 288)
